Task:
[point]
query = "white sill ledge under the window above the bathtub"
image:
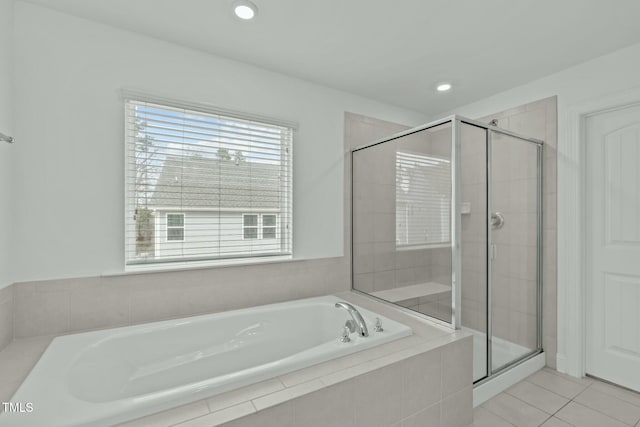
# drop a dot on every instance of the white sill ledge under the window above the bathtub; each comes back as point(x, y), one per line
point(197, 265)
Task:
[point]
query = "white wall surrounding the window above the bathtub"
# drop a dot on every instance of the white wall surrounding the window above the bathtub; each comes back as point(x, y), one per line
point(69, 167)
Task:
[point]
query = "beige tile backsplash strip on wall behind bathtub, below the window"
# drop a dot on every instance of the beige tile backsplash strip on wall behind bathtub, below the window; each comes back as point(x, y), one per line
point(56, 307)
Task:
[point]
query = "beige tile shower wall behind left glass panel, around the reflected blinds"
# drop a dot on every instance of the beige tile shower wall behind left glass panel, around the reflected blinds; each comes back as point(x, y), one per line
point(378, 264)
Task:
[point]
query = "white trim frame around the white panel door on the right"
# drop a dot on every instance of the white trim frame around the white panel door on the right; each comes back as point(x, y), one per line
point(572, 253)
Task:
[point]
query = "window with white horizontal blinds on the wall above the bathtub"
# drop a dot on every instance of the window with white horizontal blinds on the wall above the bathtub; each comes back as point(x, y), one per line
point(204, 185)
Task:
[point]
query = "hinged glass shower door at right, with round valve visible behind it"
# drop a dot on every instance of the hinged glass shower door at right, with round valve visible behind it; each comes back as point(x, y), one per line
point(514, 234)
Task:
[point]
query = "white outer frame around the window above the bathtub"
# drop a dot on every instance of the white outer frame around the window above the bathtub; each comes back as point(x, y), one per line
point(284, 234)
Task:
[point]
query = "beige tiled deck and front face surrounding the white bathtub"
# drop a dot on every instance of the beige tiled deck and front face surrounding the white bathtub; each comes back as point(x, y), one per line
point(429, 374)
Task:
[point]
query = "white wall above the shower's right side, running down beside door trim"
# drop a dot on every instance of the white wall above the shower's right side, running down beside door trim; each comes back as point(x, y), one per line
point(616, 72)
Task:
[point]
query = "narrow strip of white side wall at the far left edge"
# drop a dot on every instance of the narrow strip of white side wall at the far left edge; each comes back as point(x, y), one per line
point(6, 151)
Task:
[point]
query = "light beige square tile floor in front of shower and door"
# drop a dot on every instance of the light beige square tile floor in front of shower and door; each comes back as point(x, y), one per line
point(551, 399)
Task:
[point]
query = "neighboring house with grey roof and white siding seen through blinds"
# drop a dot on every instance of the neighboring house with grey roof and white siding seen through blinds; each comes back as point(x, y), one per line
point(215, 207)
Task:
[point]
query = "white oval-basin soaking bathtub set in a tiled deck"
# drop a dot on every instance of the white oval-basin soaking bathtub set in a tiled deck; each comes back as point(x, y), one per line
point(105, 377)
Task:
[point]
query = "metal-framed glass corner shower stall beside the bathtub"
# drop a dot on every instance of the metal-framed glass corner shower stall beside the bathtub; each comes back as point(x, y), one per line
point(447, 221)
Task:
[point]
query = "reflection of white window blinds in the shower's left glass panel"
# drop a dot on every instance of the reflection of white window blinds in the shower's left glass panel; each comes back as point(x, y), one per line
point(423, 199)
